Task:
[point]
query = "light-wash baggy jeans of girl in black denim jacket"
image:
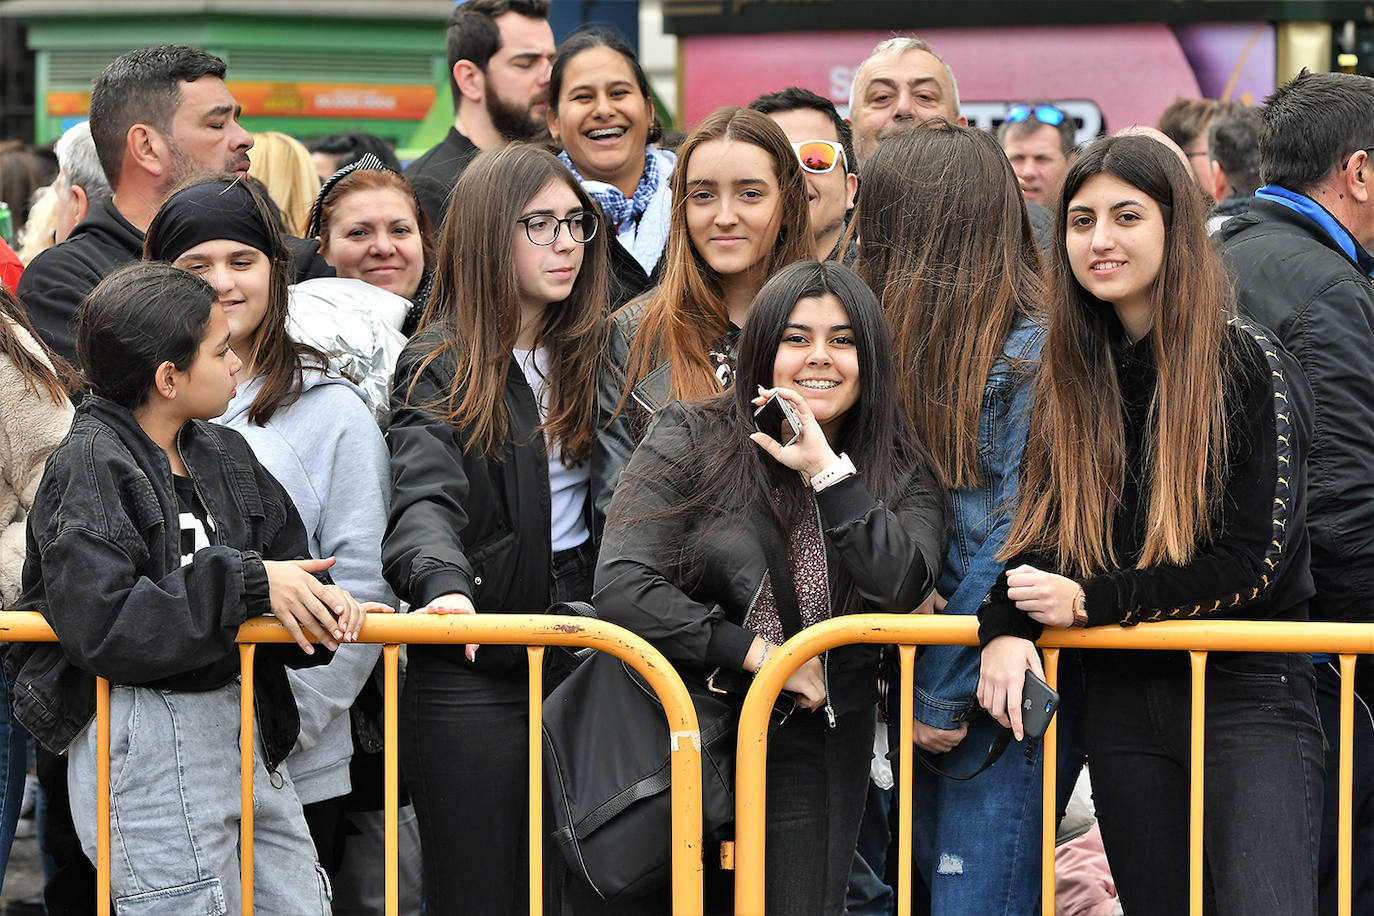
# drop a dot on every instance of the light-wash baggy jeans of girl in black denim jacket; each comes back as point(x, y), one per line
point(175, 811)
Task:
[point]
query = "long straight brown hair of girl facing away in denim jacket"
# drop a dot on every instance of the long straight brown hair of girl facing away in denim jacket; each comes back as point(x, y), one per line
point(947, 247)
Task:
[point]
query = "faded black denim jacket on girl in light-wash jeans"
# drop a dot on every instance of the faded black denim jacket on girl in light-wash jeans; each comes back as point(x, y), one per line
point(104, 568)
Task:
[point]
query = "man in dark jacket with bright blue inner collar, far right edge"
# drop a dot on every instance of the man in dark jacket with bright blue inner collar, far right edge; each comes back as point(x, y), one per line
point(1302, 263)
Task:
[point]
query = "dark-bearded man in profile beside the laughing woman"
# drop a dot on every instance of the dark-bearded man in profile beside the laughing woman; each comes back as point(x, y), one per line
point(499, 60)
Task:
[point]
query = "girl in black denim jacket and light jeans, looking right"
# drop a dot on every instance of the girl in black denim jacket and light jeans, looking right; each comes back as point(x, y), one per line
point(155, 535)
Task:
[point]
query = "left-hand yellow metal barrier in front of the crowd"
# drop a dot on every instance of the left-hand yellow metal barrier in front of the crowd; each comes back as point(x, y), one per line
point(532, 631)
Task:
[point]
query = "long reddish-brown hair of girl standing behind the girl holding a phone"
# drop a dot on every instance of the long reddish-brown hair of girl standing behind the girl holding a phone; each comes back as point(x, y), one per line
point(688, 312)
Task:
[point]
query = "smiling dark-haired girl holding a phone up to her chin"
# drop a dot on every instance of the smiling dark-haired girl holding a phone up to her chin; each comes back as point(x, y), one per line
point(851, 505)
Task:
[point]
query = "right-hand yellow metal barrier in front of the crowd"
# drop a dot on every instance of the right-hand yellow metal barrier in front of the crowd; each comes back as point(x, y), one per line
point(1197, 638)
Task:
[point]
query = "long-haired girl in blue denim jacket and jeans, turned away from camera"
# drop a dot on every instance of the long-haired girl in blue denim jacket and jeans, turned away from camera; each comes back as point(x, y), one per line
point(946, 237)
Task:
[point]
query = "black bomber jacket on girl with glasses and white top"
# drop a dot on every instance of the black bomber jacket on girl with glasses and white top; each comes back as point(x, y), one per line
point(462, 524)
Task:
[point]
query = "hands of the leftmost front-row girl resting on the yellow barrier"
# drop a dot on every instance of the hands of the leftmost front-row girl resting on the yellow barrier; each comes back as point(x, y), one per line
point(311, 610)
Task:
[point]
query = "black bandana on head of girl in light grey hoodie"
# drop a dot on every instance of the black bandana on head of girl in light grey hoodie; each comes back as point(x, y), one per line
point(205, 212)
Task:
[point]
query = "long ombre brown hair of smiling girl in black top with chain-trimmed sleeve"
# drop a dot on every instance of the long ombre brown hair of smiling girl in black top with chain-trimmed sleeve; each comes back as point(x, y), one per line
point(1075, 465)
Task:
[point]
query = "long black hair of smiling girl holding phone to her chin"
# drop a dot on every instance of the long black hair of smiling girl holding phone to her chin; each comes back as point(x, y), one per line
point(740, 477)
